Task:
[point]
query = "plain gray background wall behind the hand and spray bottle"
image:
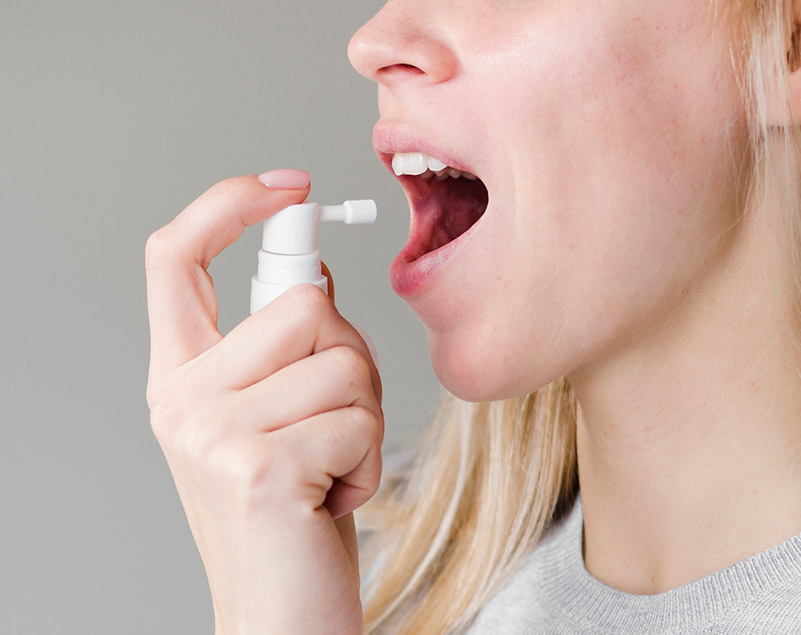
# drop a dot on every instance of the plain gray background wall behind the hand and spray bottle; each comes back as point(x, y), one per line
point(114, 116)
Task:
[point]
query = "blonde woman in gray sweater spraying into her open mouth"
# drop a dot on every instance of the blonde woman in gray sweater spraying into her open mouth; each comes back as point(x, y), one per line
point(611, 274)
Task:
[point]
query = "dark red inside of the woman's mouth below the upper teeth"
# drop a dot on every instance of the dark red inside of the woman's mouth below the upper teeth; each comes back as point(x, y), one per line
point(453, 206)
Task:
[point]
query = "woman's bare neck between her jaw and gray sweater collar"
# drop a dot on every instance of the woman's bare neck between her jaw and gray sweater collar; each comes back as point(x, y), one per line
point(689, 442)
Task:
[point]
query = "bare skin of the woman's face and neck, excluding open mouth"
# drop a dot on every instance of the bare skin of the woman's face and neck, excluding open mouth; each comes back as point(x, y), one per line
point(612, 139)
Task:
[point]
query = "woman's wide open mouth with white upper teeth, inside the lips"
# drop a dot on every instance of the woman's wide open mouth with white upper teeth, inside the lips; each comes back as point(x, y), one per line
point(445, 202)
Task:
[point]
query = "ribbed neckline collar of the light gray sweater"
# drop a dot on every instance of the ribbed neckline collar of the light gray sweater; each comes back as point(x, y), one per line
point(593, 605)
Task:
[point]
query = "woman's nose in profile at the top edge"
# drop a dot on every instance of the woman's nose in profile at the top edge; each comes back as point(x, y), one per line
point(400, 42)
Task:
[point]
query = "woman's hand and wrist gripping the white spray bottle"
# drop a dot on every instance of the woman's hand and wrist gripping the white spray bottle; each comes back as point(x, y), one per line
point(272, 433)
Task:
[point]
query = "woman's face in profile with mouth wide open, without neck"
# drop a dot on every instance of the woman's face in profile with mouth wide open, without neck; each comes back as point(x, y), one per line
point(609, 136)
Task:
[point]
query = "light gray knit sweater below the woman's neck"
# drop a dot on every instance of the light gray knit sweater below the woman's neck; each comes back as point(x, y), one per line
point(554, 593)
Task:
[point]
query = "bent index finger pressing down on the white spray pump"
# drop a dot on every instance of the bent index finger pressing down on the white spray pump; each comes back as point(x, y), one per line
point(182, 307)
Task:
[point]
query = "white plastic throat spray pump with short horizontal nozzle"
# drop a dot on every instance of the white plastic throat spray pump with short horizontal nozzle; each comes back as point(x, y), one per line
point(289, 253)
